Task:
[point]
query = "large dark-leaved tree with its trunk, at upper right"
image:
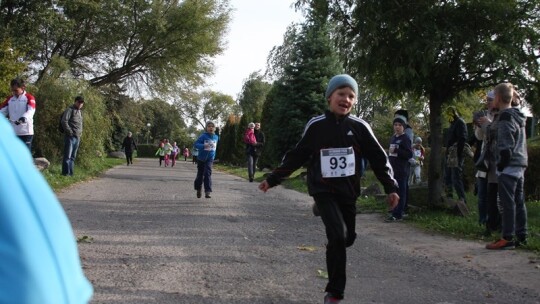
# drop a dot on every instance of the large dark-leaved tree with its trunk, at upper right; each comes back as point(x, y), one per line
point(439, 49)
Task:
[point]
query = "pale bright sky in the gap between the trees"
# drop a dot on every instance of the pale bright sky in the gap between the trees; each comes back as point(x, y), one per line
point(256, 27)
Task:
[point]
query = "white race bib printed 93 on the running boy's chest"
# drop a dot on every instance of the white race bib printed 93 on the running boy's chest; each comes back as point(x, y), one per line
point(337, 162)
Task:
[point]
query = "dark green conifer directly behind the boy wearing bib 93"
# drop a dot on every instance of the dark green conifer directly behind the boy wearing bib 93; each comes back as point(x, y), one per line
point(299, 94)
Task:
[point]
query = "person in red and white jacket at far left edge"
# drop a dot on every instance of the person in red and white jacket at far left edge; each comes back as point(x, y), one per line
point(20, 109)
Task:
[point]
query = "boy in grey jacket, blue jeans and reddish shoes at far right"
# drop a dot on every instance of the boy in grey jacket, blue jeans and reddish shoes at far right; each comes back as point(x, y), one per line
point(511, 164)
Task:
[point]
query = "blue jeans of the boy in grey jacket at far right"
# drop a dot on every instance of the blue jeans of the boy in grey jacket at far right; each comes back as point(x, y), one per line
point(514, 212)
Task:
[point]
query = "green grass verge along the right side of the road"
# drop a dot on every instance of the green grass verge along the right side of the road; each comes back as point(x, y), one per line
point(433, 220)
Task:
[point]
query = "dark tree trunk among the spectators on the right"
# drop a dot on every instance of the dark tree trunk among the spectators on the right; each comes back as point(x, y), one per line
point(435, 171)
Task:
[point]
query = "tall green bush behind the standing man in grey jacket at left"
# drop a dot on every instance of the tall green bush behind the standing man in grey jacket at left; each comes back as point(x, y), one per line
point(56, 92)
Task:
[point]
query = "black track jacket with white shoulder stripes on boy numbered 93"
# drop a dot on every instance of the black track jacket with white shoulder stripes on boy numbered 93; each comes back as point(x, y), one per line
point(328, 131)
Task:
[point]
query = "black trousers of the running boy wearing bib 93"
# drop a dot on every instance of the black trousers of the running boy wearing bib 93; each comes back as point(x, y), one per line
point(338, 214)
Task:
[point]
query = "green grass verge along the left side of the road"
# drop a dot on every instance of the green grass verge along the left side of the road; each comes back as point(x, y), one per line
point(54, 177)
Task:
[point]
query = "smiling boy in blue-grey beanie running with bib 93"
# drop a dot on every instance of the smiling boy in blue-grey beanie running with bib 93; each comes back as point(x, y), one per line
point(334, 143)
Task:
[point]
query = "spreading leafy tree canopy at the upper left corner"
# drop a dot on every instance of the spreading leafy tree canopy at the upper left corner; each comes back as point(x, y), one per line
point(136, 43)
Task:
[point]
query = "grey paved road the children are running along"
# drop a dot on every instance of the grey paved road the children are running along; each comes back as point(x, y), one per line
point(155, 242)
